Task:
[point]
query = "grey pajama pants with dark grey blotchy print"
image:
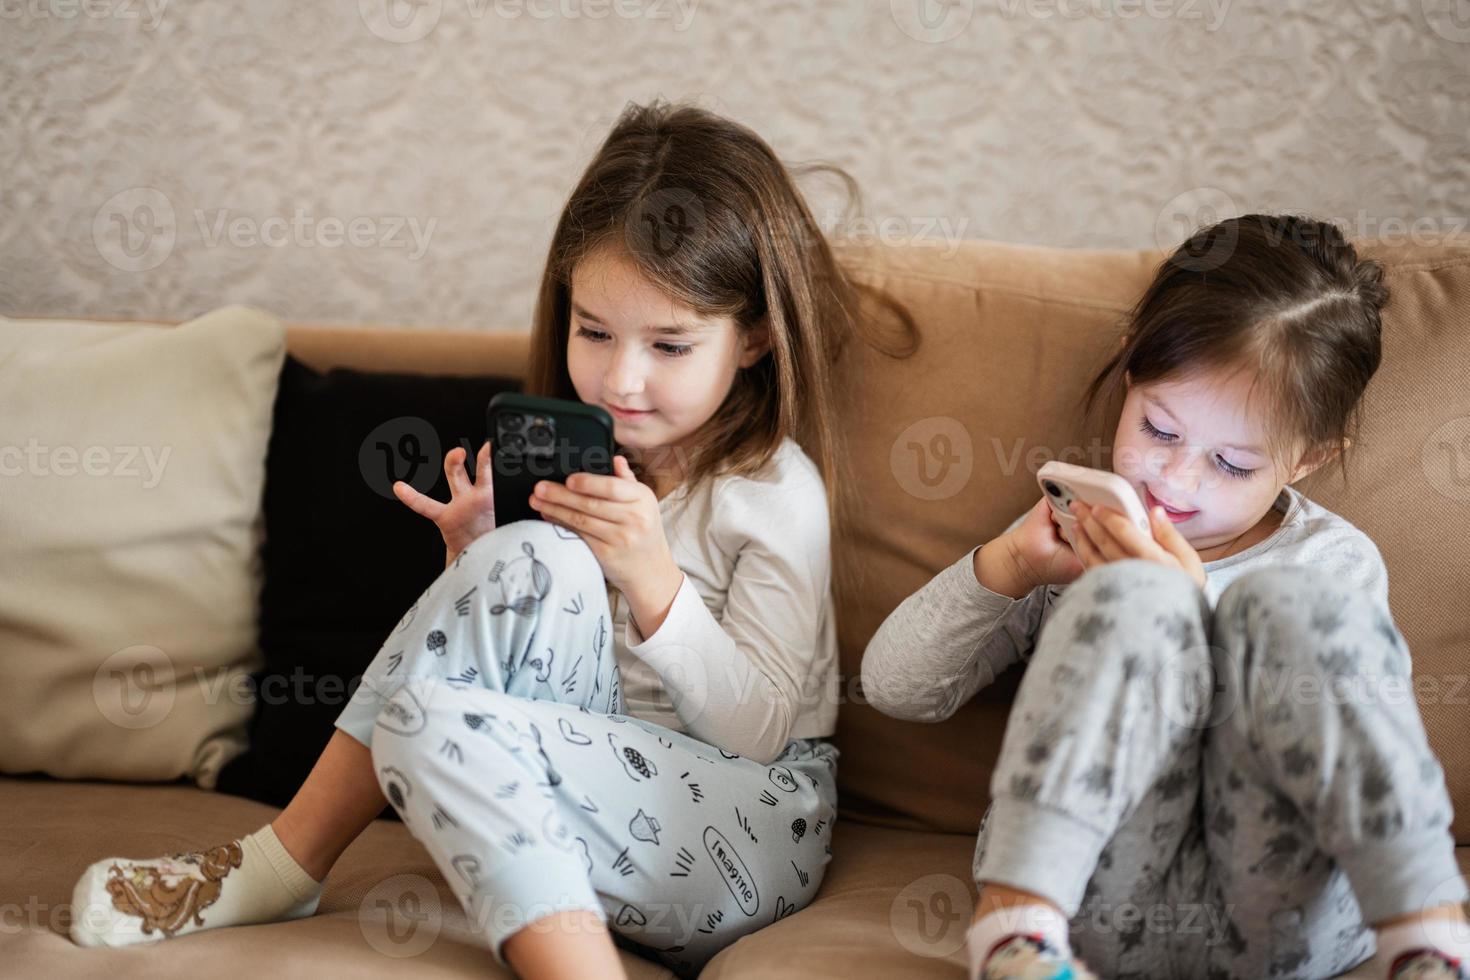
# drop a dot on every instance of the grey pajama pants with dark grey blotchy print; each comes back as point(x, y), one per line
point(1227, 794)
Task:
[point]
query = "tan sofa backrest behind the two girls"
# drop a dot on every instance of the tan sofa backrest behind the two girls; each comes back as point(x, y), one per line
point(944, 447)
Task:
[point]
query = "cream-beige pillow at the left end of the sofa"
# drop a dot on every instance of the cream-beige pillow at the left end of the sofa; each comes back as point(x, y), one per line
point(133, 468)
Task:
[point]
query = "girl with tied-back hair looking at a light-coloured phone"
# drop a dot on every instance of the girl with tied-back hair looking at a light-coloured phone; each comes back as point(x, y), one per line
point(1215, 766)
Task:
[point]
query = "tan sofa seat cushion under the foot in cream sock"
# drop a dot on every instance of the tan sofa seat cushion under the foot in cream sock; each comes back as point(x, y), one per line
point(386, 910)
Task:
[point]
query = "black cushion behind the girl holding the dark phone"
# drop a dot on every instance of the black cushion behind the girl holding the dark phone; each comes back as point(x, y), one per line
point(343, 558)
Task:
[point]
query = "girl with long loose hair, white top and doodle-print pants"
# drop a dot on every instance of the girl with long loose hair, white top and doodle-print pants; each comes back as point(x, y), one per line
point(614, 724)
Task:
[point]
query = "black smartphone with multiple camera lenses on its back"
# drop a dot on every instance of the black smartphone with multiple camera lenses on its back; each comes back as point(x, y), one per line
point(534, 439)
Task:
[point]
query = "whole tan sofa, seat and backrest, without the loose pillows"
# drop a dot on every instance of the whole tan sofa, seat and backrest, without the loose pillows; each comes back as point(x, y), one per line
point(1009, 334)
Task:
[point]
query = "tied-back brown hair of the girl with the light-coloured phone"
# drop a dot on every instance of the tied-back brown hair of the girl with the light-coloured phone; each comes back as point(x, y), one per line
point(1280, 295)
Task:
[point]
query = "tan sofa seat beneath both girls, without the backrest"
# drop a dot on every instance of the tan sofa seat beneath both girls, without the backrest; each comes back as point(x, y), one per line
point(894, 903)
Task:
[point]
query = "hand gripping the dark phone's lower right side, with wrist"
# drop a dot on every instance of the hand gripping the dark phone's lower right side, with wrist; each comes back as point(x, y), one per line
point(620, 519)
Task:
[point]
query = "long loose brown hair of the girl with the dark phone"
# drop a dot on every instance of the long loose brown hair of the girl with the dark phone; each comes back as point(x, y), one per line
point(714, 220)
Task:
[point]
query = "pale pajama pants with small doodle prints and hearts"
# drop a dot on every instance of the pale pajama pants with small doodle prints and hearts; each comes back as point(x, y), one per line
point(493, 713)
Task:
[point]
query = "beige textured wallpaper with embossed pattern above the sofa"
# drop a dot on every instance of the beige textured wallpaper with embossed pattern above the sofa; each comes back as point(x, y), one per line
point(404, 161)
